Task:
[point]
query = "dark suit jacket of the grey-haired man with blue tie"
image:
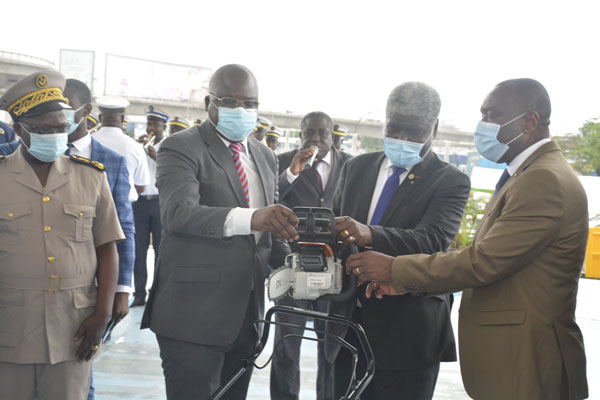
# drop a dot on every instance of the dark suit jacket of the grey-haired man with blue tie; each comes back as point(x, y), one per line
point(406, 332)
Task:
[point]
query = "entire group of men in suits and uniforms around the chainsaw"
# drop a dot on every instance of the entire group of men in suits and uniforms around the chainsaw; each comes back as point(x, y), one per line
point(82, 202)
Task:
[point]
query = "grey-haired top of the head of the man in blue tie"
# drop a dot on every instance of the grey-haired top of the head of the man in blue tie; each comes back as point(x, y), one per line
point(413, 105)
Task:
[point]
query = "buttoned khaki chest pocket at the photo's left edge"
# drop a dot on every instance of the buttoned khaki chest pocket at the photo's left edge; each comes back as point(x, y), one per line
point(15, 223)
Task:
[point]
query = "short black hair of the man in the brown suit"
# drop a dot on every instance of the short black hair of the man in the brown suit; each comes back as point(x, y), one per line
point(527, 95)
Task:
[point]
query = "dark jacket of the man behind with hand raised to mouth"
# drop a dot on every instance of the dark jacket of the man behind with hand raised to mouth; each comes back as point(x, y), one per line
point(305, 191)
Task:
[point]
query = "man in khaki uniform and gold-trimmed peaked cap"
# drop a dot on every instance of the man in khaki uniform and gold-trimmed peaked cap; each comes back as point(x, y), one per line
point(58, 229)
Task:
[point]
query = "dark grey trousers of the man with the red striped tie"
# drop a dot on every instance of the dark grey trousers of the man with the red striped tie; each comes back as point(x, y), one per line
point(194, 371)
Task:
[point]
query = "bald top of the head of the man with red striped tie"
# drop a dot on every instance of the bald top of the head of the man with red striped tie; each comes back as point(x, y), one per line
point(233, 78)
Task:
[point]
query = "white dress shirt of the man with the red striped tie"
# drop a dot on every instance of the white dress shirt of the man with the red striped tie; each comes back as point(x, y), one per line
point(239, 219)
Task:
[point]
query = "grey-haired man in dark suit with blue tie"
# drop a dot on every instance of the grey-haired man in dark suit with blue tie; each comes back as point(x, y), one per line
point(403, 200)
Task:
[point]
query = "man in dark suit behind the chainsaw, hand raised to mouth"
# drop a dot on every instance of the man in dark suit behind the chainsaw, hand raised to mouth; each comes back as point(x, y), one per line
point(312, 187)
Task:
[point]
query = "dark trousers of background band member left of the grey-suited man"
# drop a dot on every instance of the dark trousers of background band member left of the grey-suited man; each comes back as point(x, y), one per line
point(146, 215)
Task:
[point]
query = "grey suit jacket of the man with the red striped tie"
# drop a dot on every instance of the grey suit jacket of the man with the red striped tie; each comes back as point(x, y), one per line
point(203, 280)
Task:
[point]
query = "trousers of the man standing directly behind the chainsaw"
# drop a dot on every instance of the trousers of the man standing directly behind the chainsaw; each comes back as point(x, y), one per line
point(285, 368)
